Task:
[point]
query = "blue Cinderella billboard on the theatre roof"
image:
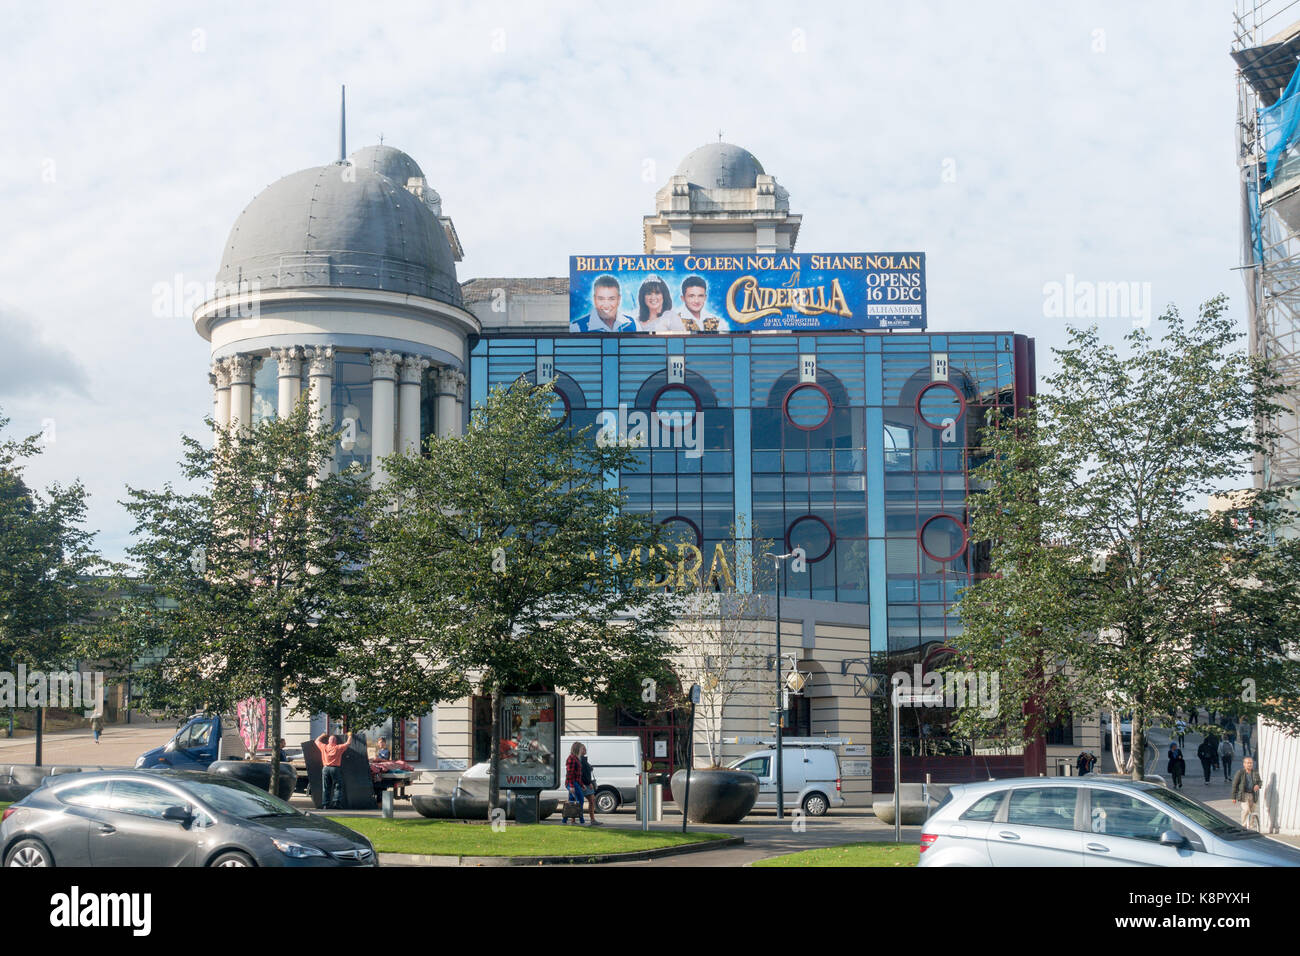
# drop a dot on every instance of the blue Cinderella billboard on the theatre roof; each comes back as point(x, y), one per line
point(811, 292)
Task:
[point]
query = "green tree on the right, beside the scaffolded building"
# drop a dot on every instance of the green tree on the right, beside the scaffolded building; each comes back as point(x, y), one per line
point(1107, 569)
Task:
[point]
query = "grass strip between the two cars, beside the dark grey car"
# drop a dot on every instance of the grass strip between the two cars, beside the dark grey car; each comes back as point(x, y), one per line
point(456, 838)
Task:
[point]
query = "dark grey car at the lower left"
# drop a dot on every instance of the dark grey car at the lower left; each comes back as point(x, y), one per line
point(170, 819)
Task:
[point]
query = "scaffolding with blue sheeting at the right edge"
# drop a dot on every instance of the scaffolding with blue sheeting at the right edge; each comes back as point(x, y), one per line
point(1267, 50)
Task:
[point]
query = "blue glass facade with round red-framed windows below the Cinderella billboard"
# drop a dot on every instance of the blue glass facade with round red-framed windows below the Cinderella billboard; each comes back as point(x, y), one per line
point(855, 447)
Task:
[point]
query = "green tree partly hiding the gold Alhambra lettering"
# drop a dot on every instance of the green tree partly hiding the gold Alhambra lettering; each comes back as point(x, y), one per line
point(502, 560)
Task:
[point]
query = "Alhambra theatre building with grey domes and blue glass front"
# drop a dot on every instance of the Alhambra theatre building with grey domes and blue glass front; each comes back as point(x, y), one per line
point(852, 442)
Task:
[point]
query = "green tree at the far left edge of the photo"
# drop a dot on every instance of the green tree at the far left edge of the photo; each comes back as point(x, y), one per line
point(49, 566)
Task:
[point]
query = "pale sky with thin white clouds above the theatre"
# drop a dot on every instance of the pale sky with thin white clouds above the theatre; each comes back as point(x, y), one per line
point(1017, 145)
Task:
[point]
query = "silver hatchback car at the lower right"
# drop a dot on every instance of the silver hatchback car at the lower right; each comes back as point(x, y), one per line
point(1087, 821)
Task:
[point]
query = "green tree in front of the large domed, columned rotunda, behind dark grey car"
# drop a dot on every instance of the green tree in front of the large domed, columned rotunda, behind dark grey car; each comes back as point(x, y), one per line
point(244, 577)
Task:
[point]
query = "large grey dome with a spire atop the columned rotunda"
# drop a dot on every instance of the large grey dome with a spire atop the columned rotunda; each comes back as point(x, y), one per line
point(341, 226)
